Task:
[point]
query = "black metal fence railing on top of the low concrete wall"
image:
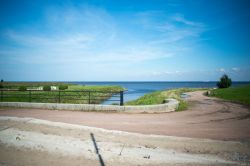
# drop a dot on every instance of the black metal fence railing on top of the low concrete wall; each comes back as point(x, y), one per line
point(62, 96)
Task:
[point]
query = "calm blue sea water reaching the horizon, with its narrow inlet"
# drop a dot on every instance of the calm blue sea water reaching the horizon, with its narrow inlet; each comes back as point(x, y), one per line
point(138, 89)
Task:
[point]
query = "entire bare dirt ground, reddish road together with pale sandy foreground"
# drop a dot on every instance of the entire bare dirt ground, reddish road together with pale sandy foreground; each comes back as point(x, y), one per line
point(63, 138)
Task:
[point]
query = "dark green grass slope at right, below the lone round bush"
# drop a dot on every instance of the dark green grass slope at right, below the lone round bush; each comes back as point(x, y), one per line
point(240, 94)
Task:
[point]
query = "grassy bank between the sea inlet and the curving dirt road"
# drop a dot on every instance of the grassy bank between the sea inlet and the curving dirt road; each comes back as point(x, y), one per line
point(158, 97)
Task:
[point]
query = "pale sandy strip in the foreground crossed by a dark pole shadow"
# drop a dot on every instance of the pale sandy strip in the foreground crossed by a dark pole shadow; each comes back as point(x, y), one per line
point(28, 141)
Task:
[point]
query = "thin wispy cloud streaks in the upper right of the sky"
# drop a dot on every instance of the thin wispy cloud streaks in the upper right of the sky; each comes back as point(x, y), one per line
point(172, 30)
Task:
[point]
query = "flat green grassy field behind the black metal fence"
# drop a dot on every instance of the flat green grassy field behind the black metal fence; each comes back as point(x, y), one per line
point(75, 94)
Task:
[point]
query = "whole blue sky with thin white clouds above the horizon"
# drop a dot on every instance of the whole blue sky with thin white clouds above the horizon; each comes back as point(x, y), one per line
point(126, 40)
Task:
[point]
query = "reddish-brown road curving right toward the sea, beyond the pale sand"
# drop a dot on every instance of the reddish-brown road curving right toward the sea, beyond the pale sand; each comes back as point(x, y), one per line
point(206, 118)
